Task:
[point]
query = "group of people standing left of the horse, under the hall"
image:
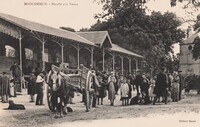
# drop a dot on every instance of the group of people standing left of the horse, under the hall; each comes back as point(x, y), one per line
point(11, 83)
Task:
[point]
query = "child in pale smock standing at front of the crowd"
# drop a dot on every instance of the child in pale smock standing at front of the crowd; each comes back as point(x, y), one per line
point(124, 92)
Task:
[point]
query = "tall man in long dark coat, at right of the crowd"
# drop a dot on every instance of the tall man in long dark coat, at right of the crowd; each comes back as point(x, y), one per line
point(161, 86)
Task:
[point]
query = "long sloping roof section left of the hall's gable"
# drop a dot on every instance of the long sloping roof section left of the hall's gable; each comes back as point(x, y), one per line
point(33, 26)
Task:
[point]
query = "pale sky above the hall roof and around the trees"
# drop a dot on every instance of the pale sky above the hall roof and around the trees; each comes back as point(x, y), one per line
point(76, 14)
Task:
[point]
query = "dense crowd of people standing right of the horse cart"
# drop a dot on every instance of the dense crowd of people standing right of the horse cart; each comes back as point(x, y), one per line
point(161, 88)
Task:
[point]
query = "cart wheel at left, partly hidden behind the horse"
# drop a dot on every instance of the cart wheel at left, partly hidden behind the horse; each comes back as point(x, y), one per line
point(50, 99)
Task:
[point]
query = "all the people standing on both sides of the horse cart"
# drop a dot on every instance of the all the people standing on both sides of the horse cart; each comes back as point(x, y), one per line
point(161, 88)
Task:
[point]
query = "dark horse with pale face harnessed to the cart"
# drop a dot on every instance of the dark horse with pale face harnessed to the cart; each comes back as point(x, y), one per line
point(62, 90)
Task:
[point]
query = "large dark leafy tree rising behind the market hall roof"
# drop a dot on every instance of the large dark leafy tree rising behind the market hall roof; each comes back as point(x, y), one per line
point(129, 26)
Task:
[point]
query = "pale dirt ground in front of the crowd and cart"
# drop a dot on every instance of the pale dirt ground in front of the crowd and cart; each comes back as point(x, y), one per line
point(184, 113)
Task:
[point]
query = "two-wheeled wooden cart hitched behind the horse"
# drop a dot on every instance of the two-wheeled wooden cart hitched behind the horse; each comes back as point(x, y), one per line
point(78, 81)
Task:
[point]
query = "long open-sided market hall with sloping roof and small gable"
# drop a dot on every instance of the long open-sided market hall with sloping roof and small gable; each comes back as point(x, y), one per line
point(35, 45)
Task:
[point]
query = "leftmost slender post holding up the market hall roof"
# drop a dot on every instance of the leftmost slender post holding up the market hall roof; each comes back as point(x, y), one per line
point(20, 58)
